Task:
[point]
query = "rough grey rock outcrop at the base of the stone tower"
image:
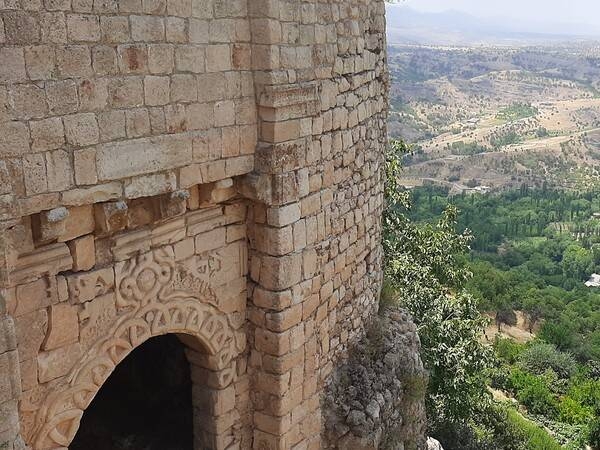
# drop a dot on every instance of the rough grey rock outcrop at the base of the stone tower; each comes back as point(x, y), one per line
point(375, 400)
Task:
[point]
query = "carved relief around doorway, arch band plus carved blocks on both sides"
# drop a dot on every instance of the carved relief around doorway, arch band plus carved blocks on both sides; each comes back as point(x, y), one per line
point(121, 307)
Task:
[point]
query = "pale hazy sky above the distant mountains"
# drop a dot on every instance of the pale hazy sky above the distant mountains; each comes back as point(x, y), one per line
point(555, 11)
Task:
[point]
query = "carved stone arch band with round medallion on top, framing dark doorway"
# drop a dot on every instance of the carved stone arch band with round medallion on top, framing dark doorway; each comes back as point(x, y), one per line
point(157, 305)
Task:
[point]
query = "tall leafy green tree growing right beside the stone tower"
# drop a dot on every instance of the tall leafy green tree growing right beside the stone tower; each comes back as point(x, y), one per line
point(423, 262)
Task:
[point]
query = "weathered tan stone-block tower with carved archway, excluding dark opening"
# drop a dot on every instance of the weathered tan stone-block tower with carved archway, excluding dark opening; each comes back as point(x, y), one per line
point(205, 168)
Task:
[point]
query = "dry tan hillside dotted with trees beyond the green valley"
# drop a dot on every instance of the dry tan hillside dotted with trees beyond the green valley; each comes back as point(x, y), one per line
point(442, 107)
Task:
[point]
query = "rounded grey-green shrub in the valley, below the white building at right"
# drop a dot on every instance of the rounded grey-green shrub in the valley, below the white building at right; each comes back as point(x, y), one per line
point(541, 357)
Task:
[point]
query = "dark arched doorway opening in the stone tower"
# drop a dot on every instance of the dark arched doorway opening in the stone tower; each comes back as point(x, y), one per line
point(146, 403)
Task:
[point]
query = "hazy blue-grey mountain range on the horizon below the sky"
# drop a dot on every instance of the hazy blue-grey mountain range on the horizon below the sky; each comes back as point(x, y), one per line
point(408, 26)
